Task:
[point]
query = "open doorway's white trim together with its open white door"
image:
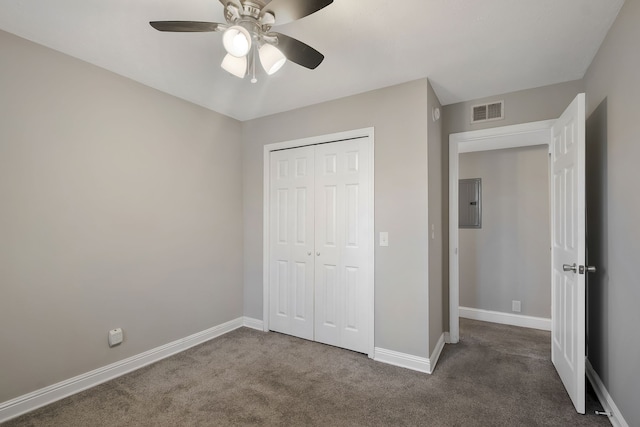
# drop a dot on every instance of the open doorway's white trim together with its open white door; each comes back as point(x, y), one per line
point(566, 140)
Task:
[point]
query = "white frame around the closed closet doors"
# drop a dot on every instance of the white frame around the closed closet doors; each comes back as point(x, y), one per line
point(323, 139)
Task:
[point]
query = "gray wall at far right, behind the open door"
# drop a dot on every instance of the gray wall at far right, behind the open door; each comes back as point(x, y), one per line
point(613, 206)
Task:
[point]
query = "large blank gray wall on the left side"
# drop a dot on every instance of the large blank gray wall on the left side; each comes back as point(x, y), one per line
point(121, 207)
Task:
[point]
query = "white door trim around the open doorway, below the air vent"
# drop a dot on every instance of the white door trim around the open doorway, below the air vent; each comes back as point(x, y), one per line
point(522, 135)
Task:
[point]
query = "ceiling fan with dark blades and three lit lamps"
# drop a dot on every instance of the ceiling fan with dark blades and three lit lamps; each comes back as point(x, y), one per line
point(247, 34)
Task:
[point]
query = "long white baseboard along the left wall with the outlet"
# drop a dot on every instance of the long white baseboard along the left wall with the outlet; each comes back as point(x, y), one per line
point(28, 402)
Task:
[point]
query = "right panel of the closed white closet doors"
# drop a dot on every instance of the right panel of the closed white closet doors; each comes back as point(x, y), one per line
point(342, 278)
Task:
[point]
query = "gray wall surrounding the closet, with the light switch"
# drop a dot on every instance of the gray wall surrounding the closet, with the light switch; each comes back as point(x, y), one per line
point(399, 115)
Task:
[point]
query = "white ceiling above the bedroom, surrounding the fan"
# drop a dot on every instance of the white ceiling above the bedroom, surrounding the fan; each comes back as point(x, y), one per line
point(468, 48)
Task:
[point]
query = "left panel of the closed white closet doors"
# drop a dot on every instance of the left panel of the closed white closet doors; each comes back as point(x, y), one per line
point(291, 269)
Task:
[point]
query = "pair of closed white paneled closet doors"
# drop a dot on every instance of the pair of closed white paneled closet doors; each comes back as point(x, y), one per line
point(320, 276)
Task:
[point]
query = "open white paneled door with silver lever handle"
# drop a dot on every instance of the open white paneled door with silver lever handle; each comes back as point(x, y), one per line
point(568, 250)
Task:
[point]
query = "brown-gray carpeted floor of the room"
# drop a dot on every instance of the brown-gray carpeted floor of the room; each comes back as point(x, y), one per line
point(496, 376)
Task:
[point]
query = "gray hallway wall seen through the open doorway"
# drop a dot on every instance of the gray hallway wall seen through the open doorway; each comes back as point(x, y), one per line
point(508, 258)
